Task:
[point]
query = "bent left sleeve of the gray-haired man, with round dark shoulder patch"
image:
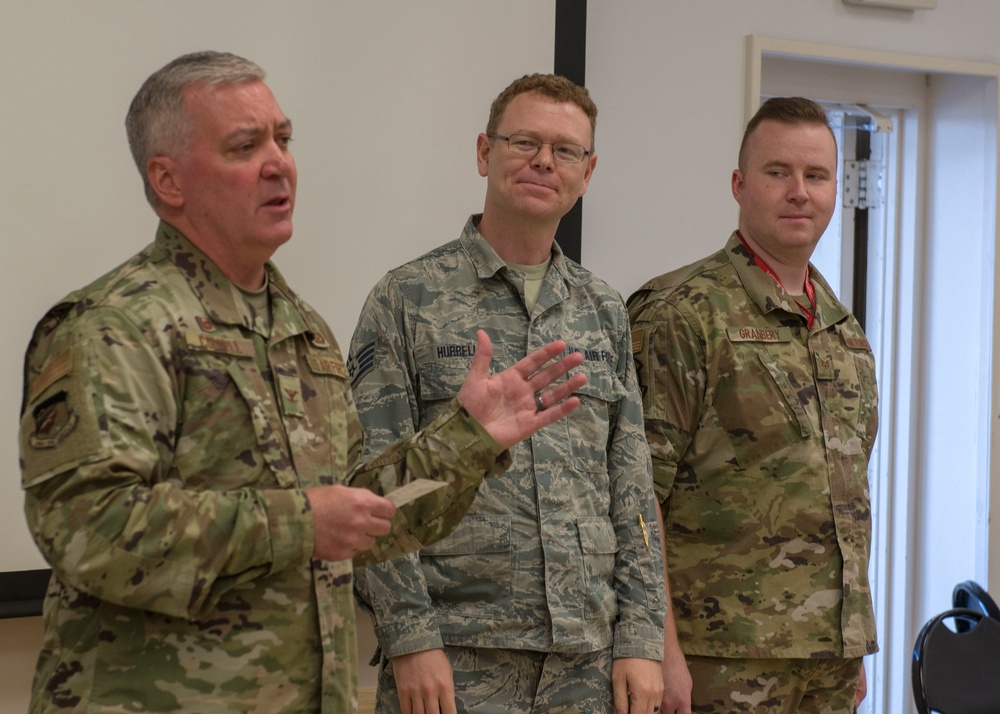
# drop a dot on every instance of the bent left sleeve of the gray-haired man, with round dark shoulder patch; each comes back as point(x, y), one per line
point(106, 510)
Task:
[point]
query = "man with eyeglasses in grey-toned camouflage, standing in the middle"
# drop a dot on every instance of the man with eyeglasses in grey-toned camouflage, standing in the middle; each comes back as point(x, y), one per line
point(546, 597)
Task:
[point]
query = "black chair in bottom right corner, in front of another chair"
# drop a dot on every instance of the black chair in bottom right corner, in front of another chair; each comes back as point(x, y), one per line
point(957, 672)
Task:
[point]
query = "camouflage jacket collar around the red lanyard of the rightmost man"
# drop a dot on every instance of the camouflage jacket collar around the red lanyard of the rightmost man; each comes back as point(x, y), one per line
point(768, 296)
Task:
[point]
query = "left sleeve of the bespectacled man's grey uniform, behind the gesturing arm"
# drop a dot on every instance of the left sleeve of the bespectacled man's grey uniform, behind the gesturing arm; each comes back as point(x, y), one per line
point(385, 395)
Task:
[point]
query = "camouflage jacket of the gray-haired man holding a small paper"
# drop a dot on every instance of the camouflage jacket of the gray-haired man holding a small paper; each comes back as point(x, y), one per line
point(166, 440)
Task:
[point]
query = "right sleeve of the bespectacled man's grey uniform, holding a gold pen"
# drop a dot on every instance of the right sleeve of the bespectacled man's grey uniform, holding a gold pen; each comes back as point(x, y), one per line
point(639, 580)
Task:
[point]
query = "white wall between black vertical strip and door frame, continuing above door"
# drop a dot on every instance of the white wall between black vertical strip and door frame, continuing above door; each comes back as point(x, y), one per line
point(668, 78)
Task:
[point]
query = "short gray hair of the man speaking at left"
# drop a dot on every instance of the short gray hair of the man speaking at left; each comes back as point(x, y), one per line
point(156, 122)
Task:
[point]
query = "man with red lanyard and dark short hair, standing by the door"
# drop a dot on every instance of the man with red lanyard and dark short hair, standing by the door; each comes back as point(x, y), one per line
point(760, 400)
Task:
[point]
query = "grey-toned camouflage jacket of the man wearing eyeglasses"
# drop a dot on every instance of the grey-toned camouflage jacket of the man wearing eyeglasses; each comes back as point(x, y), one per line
point(552, 557)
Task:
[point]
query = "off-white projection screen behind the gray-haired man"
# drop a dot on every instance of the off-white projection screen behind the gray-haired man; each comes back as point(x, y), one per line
point(386, 97)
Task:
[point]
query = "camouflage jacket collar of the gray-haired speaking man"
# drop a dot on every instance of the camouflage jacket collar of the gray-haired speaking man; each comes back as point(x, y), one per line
point(218, 295)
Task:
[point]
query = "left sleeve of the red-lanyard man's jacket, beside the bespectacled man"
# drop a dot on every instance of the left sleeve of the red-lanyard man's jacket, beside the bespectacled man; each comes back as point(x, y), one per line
point(670, 366)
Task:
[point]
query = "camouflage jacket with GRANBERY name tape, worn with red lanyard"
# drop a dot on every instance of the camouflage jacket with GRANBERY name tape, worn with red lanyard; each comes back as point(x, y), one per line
point(760, 432)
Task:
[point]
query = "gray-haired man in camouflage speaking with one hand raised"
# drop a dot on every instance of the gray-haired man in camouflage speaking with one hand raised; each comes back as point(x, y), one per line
point(188, 427)
